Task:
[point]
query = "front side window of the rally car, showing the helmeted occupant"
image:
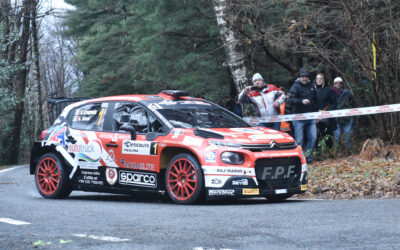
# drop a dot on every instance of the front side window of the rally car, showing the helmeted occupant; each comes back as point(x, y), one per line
point(137, 116)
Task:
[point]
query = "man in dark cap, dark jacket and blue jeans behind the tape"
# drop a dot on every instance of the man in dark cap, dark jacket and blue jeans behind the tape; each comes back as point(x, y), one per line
point(303, 99)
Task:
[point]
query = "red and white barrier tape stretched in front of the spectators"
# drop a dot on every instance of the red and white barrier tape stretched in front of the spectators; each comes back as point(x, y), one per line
point(326, 114)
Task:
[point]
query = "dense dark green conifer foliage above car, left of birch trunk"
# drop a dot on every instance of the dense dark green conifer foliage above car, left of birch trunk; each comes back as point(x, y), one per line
point(147, 46)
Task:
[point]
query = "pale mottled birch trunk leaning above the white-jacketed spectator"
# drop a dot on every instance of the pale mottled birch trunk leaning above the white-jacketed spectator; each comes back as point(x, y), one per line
point(235, 53)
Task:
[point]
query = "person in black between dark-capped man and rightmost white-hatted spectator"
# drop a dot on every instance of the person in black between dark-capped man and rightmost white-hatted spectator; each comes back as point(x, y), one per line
point(326, 100)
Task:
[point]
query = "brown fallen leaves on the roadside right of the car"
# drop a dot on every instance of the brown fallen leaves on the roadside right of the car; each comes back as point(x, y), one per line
point(356, 178)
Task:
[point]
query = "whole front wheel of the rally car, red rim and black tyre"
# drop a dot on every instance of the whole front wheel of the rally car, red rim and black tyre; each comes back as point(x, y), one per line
point(184, 179)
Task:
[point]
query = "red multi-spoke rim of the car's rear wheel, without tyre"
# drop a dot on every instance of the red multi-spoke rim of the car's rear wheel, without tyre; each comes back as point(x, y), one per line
point(48, 176)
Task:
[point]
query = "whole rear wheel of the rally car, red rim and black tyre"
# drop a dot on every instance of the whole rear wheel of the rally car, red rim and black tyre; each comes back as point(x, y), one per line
point(51, 177)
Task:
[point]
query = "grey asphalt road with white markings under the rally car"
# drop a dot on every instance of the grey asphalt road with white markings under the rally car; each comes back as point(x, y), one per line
point(105, 221)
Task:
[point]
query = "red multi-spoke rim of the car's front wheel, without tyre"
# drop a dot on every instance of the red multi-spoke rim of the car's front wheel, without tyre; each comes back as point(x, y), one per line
point(182, 179)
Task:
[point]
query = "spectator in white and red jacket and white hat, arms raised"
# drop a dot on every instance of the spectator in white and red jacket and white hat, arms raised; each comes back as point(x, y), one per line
point(265, 98)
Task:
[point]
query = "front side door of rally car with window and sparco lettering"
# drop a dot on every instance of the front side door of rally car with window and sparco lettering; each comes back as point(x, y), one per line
point(137, 158)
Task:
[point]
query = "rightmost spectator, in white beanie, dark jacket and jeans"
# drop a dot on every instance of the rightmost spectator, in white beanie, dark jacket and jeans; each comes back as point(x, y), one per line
point(344, 124)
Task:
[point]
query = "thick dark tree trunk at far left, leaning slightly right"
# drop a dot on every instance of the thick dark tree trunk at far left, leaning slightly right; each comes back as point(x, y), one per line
point(20, 80)
